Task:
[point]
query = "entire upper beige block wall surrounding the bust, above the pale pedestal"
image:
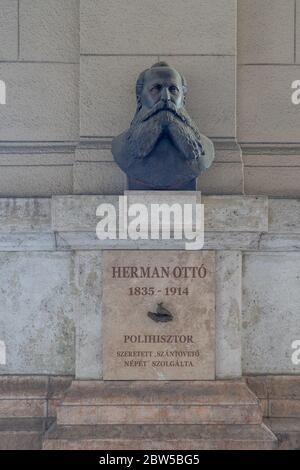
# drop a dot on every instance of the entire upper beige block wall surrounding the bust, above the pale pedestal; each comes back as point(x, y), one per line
point(70, 67)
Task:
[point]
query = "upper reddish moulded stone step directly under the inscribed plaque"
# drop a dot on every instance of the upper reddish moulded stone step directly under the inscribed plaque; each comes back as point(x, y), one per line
point(175, 402)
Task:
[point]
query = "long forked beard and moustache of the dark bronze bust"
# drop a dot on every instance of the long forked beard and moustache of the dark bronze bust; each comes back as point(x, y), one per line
point(146, 129)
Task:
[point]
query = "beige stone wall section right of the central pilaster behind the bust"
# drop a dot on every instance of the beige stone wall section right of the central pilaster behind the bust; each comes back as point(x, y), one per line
point(268, 121)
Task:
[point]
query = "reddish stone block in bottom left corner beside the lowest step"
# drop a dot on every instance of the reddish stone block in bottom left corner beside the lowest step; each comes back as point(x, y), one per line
point(21, 433)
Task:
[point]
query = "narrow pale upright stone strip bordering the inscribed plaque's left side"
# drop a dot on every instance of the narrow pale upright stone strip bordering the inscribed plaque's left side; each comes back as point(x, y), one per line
point(88, 304)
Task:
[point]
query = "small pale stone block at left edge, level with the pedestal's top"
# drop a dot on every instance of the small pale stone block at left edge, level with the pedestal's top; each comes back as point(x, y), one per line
point(25, 215)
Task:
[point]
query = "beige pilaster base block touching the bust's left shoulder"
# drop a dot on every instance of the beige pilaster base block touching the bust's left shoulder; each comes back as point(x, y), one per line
point(98, 178)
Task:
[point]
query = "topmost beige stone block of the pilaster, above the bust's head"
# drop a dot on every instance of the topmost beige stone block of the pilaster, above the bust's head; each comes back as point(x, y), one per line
point(206, 27)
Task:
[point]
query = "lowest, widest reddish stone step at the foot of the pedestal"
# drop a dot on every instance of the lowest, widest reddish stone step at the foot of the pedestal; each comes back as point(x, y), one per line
point(160, 437)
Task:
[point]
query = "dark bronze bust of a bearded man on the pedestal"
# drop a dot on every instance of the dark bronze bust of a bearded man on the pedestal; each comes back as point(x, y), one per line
point(162, 149)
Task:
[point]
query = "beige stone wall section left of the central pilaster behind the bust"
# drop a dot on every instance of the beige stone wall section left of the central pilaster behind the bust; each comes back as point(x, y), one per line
point(39, 63)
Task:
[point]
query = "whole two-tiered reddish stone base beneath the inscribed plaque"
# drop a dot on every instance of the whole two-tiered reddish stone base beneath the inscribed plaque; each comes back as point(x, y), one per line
point(159, 415)
